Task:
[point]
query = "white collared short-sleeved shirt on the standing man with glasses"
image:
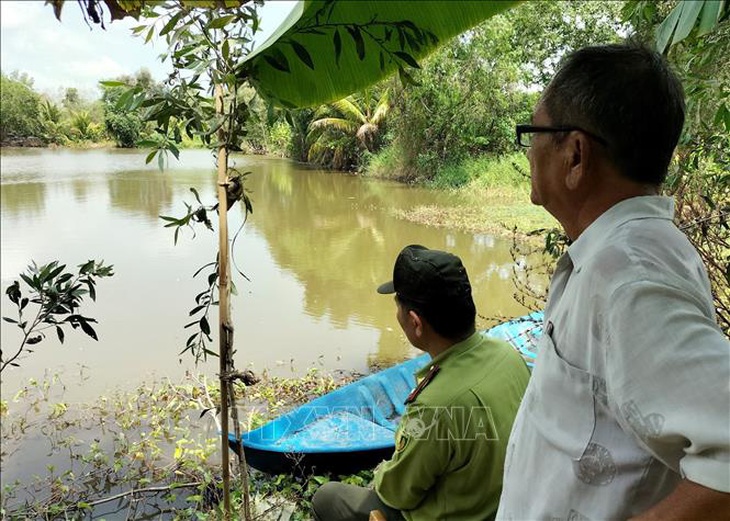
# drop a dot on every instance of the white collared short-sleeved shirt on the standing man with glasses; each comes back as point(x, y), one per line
point(631, 387)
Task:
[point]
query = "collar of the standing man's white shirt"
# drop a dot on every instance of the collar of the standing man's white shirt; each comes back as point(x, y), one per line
point(640, 207)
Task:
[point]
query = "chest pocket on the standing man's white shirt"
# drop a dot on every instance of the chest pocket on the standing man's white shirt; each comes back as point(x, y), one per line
point(561, 401)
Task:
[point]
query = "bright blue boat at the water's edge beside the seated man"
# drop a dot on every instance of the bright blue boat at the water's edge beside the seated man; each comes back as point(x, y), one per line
point(353, 427)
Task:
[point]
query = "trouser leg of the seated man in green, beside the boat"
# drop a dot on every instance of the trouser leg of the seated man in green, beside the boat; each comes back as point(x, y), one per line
point(336, 501)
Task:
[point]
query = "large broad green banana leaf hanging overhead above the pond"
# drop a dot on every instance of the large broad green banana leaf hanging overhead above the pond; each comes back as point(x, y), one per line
point(327, 49)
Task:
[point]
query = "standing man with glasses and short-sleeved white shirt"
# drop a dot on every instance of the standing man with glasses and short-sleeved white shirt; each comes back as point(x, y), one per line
point(627, 414)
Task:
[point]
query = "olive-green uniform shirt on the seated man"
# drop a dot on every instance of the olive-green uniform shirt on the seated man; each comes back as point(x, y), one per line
point(451, 441)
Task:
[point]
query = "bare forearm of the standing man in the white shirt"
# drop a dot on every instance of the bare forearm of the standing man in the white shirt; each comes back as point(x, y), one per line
point(689, 501)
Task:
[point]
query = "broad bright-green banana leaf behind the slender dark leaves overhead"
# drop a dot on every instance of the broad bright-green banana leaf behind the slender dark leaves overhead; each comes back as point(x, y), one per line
point(439, 21)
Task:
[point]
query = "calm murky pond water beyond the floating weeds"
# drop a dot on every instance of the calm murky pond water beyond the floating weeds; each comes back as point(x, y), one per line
point(314, 250)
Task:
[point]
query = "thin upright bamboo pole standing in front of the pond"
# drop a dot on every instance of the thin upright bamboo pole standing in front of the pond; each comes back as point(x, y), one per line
point(224, 310)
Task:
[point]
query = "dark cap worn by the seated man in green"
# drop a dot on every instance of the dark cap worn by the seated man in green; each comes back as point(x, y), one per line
point(425, 276)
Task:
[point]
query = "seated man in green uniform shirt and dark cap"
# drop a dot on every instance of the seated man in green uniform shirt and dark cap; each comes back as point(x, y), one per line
point(450, 443)
